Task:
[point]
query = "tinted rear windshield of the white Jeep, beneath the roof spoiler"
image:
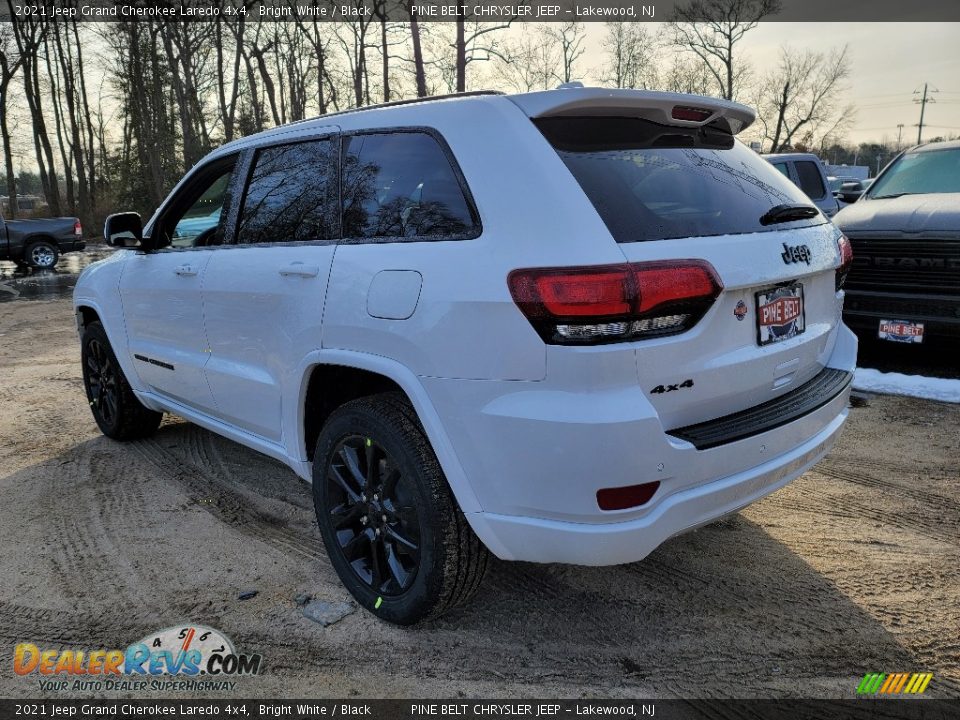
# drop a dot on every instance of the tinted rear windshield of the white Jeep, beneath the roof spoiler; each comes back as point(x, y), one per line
point(655, 182)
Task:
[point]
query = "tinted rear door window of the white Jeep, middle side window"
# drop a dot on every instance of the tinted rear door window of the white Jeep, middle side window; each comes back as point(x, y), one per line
point(292, 195)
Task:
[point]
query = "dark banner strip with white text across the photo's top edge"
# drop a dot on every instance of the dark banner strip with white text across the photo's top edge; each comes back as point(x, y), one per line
point(474, 10)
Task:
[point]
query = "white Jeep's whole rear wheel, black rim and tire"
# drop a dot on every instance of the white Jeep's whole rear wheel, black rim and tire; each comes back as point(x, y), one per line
point(396, 536)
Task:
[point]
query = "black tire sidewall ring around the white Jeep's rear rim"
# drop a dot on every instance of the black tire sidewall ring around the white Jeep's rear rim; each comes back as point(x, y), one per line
point(416, 602)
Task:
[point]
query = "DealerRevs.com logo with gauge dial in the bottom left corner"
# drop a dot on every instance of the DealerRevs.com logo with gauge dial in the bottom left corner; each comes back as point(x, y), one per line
point(191, 657)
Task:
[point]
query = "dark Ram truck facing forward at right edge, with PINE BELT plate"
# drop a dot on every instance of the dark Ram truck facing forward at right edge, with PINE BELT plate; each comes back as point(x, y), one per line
point(905, 282)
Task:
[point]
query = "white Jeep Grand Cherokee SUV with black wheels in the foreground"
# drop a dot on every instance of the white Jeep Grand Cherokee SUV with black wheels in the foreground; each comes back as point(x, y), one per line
point(559, 327)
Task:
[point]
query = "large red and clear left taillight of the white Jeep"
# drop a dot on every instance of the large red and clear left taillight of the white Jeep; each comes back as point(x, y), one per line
point(612, 303)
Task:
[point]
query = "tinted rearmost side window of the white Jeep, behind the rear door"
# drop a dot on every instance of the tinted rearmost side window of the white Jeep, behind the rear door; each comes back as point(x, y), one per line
point(402, 185)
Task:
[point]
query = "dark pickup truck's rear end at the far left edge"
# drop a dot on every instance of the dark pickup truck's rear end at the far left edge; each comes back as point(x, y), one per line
point(39, 243)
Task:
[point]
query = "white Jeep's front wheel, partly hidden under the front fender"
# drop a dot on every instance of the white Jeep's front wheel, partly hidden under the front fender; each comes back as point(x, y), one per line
point(118, 413)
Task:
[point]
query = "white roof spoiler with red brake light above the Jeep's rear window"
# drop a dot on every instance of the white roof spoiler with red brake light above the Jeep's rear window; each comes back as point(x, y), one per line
point(665, 108)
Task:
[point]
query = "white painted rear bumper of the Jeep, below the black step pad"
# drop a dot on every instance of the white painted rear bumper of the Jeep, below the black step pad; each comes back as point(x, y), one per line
point(536, 455)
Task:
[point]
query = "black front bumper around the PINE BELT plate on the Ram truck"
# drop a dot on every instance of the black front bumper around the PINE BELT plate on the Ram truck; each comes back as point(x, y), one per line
point(940, 314)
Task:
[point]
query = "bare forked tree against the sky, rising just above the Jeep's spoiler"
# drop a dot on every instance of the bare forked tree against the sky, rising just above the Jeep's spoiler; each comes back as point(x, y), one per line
point(712, 29)
